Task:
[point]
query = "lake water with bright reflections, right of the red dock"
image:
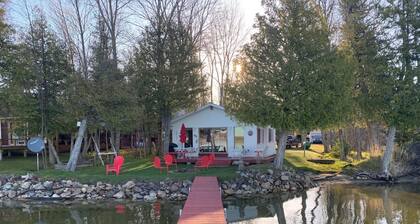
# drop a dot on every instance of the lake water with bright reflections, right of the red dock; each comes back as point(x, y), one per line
point(333, 204)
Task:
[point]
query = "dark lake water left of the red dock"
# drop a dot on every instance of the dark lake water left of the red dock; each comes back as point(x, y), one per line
point(88, 212)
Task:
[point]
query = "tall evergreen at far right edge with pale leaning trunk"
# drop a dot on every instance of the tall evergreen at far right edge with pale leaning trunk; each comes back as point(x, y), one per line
point(402, 111)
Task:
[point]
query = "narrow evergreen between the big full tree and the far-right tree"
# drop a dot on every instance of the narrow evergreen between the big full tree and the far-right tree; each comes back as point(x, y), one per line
point(361, 45)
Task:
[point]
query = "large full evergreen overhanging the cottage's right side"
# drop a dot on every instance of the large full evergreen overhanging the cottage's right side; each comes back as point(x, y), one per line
point(292, 77)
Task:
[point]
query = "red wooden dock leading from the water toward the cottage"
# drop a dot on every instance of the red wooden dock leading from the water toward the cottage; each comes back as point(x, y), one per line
point(204, 204)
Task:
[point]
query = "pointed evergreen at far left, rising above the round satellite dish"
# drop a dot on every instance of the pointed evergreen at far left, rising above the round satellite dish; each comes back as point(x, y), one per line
point(37, 81)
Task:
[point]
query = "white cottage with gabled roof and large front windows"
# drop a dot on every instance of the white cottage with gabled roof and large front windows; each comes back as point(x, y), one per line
point(210, 125)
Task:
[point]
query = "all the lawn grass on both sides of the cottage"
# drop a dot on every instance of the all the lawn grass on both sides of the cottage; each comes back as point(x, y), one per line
point(142, 169)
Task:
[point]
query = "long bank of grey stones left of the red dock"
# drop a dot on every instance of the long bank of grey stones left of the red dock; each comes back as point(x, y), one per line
point(32, 188)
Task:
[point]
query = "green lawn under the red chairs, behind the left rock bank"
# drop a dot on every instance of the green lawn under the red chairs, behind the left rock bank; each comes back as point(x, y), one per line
point(133, 169)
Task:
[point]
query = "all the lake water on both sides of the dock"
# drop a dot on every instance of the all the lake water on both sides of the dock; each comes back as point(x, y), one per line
point(328, 204)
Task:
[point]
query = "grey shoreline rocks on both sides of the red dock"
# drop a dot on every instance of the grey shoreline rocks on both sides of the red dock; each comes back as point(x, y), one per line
point(248, 183)
